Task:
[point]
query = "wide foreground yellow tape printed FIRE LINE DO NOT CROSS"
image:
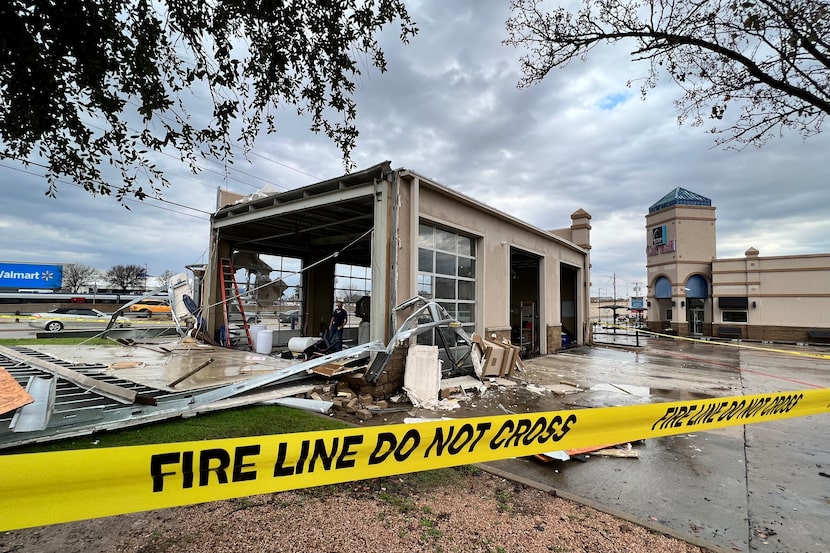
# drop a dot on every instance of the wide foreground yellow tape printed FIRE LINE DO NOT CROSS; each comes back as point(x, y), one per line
point(47, 488)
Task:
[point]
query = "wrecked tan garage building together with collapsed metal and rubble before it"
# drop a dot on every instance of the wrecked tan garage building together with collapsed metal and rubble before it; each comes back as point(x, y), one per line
point(452, 287)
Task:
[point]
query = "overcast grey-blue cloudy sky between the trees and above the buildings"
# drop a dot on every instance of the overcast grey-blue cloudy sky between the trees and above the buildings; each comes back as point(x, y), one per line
point(448, 108)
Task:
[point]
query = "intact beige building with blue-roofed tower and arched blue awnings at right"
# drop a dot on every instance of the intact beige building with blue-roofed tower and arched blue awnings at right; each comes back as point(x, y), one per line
point(693, 293)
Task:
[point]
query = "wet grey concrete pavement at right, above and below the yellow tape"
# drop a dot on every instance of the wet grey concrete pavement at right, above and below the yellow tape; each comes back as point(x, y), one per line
point(760, 487)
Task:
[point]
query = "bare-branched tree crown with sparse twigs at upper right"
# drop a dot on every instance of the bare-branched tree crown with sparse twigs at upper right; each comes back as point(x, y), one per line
point(753, 66)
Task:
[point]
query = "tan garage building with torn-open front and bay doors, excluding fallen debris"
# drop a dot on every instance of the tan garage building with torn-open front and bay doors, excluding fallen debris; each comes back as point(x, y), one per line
point(496, 275)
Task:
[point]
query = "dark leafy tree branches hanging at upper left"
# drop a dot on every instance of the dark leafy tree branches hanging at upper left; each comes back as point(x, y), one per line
point(92, 83)
